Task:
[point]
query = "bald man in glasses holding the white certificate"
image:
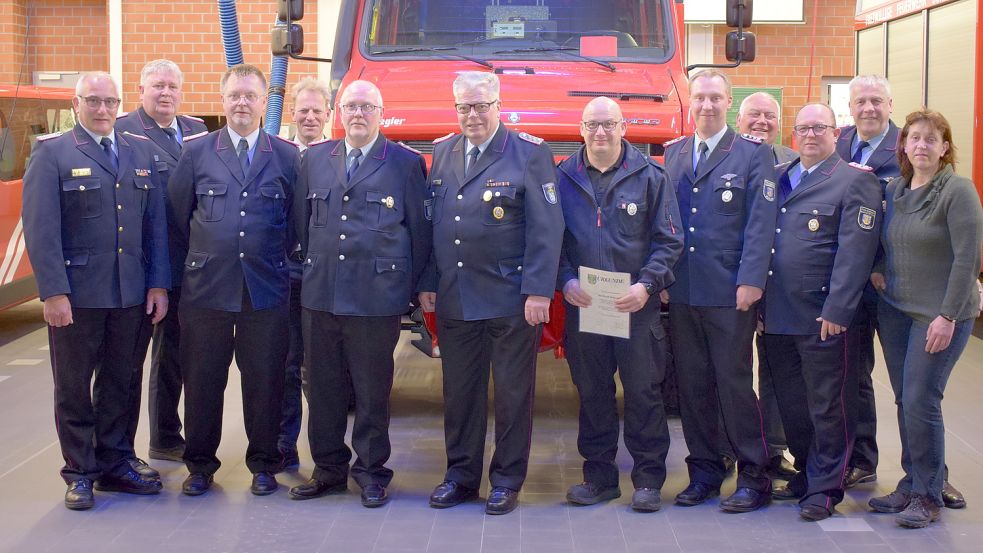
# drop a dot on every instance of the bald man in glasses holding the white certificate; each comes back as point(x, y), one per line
point(620, 215)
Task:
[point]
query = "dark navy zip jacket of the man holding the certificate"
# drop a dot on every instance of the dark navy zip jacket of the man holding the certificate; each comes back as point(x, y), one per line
point(636, 230)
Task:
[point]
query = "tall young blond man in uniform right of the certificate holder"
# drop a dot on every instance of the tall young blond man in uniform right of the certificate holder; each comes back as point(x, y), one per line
point(724, 184)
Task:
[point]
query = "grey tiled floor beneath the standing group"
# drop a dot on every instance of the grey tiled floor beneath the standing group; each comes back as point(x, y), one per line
point(32, 518)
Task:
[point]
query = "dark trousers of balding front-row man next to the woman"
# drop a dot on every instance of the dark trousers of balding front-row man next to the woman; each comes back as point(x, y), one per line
point(812, 379)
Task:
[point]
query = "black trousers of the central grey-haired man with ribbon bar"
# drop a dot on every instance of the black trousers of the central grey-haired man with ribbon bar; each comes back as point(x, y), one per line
point(506, 347)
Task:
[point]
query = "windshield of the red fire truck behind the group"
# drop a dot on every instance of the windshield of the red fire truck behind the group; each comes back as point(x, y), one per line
point(479, 30)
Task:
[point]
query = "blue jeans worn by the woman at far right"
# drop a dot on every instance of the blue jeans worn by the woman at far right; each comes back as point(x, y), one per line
point(918, 379)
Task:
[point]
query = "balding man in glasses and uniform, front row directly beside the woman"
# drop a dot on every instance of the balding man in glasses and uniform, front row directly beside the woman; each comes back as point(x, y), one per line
point(827, 235)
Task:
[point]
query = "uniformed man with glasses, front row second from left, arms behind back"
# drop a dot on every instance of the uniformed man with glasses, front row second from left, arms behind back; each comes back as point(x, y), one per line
point(230, 199)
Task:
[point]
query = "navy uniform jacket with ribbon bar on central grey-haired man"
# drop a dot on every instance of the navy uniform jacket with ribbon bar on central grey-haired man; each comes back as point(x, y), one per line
point(485, 265)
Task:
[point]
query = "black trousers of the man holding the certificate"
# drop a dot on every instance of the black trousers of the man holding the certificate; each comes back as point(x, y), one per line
point(640, 362)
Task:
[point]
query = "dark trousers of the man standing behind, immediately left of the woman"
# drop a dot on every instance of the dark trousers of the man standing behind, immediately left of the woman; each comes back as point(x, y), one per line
point(864, 424)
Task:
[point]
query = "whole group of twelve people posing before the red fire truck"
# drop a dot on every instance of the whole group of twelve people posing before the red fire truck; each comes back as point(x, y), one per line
point(289, 254)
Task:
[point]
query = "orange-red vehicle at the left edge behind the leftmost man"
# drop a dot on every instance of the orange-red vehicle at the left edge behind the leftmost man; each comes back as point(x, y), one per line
point(26, 112)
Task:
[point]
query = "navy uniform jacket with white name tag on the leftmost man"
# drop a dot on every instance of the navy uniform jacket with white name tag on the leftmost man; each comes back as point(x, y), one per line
point(97, 235)
